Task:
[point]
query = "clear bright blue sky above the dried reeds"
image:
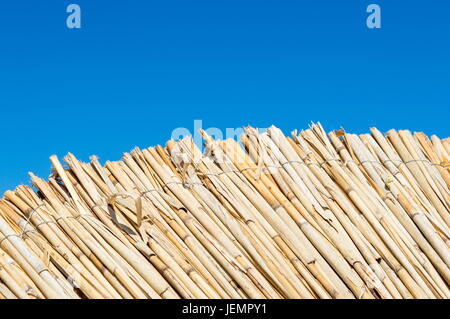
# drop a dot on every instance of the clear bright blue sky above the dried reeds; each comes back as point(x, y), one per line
point(138, 69)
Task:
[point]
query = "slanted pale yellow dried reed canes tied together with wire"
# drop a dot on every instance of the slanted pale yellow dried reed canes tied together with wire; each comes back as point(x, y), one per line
point(313, 215)
